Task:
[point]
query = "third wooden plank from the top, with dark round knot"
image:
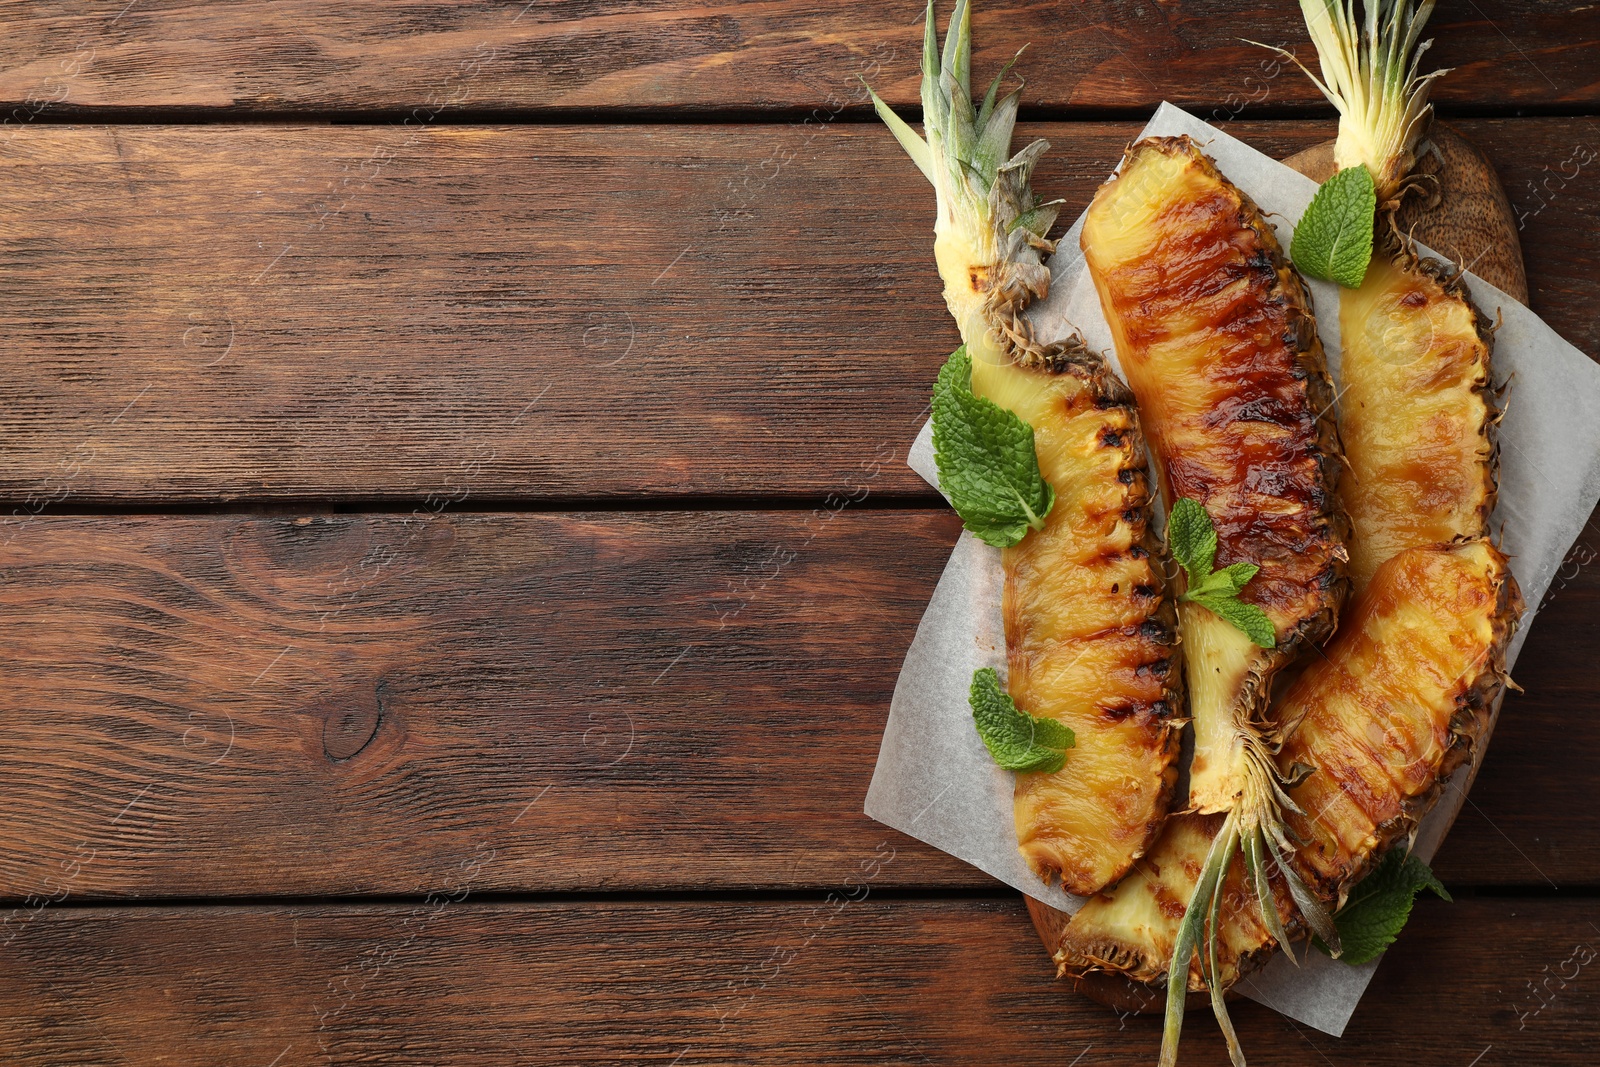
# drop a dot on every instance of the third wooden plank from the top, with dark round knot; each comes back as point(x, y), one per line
point(665, 701)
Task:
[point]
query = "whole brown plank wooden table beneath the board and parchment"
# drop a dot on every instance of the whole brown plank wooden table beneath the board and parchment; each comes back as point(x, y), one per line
point(460, 549)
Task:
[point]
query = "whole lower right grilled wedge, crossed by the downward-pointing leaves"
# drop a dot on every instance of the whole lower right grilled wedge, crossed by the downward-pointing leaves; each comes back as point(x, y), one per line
point(1382, 719)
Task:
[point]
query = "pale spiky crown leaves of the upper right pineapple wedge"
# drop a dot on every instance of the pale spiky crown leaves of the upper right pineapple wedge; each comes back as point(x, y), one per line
point(1370, 71)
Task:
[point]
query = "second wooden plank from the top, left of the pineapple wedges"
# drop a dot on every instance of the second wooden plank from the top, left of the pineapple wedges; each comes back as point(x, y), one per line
point(572, 313)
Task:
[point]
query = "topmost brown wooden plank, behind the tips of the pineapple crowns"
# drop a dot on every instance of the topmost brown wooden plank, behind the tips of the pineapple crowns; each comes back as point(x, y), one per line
point(562, 55)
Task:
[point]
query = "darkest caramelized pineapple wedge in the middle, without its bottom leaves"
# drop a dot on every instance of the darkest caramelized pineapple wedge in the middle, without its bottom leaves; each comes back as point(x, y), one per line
point(1218, 343)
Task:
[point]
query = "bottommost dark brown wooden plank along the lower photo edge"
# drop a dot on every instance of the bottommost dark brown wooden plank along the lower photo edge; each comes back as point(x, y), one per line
point(446, 985)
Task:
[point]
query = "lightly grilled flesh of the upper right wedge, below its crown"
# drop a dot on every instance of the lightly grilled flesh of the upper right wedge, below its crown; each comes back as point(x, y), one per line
point(1415, 415)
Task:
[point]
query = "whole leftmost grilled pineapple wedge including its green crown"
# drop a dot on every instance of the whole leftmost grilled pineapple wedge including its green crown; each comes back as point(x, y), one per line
point(1090, 629)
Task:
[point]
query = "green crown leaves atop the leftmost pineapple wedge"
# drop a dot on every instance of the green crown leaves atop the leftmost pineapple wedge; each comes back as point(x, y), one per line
point(966, 153)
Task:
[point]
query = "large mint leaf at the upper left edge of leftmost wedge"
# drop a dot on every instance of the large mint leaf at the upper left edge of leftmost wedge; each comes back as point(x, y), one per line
point(986, 458)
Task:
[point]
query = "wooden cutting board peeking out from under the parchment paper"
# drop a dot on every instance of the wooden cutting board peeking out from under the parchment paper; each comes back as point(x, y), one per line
point(1471, 223)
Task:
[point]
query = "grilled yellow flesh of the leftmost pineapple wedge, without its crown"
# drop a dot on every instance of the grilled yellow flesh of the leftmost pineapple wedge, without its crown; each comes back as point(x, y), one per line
point(1090, 634)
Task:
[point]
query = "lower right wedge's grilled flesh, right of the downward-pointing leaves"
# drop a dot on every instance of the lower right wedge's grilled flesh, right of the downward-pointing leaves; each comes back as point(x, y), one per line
point(1396, 706)
